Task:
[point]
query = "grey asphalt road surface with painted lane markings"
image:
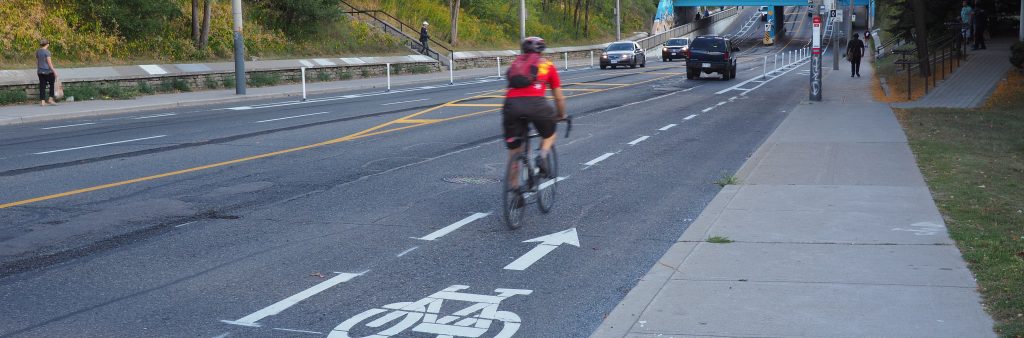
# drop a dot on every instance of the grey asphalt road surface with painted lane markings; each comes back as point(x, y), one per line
point(365, 213)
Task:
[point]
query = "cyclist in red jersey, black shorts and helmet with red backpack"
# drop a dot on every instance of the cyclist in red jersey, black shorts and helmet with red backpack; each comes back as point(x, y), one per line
point(529, 105)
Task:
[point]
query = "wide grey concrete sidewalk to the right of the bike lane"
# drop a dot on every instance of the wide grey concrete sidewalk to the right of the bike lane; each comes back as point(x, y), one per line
point(836, 236)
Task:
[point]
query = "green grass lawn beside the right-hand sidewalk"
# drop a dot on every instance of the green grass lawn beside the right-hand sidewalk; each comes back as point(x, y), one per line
point(974, 163)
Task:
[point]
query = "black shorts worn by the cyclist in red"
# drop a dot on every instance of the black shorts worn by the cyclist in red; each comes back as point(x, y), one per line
point(536, 110)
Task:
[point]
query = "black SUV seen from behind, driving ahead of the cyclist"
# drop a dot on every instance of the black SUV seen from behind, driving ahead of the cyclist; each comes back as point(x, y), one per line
point(711, 55)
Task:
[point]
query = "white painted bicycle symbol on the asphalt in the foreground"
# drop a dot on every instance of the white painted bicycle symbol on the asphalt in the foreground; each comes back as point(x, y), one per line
point(424, 317)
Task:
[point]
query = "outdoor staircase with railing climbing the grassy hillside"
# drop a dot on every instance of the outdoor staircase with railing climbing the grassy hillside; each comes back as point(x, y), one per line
point(395, 27)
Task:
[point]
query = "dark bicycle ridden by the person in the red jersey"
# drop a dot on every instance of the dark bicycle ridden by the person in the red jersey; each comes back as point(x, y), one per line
point(530, 181)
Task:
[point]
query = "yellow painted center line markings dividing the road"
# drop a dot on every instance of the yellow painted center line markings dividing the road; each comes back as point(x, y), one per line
point(406, 122)
